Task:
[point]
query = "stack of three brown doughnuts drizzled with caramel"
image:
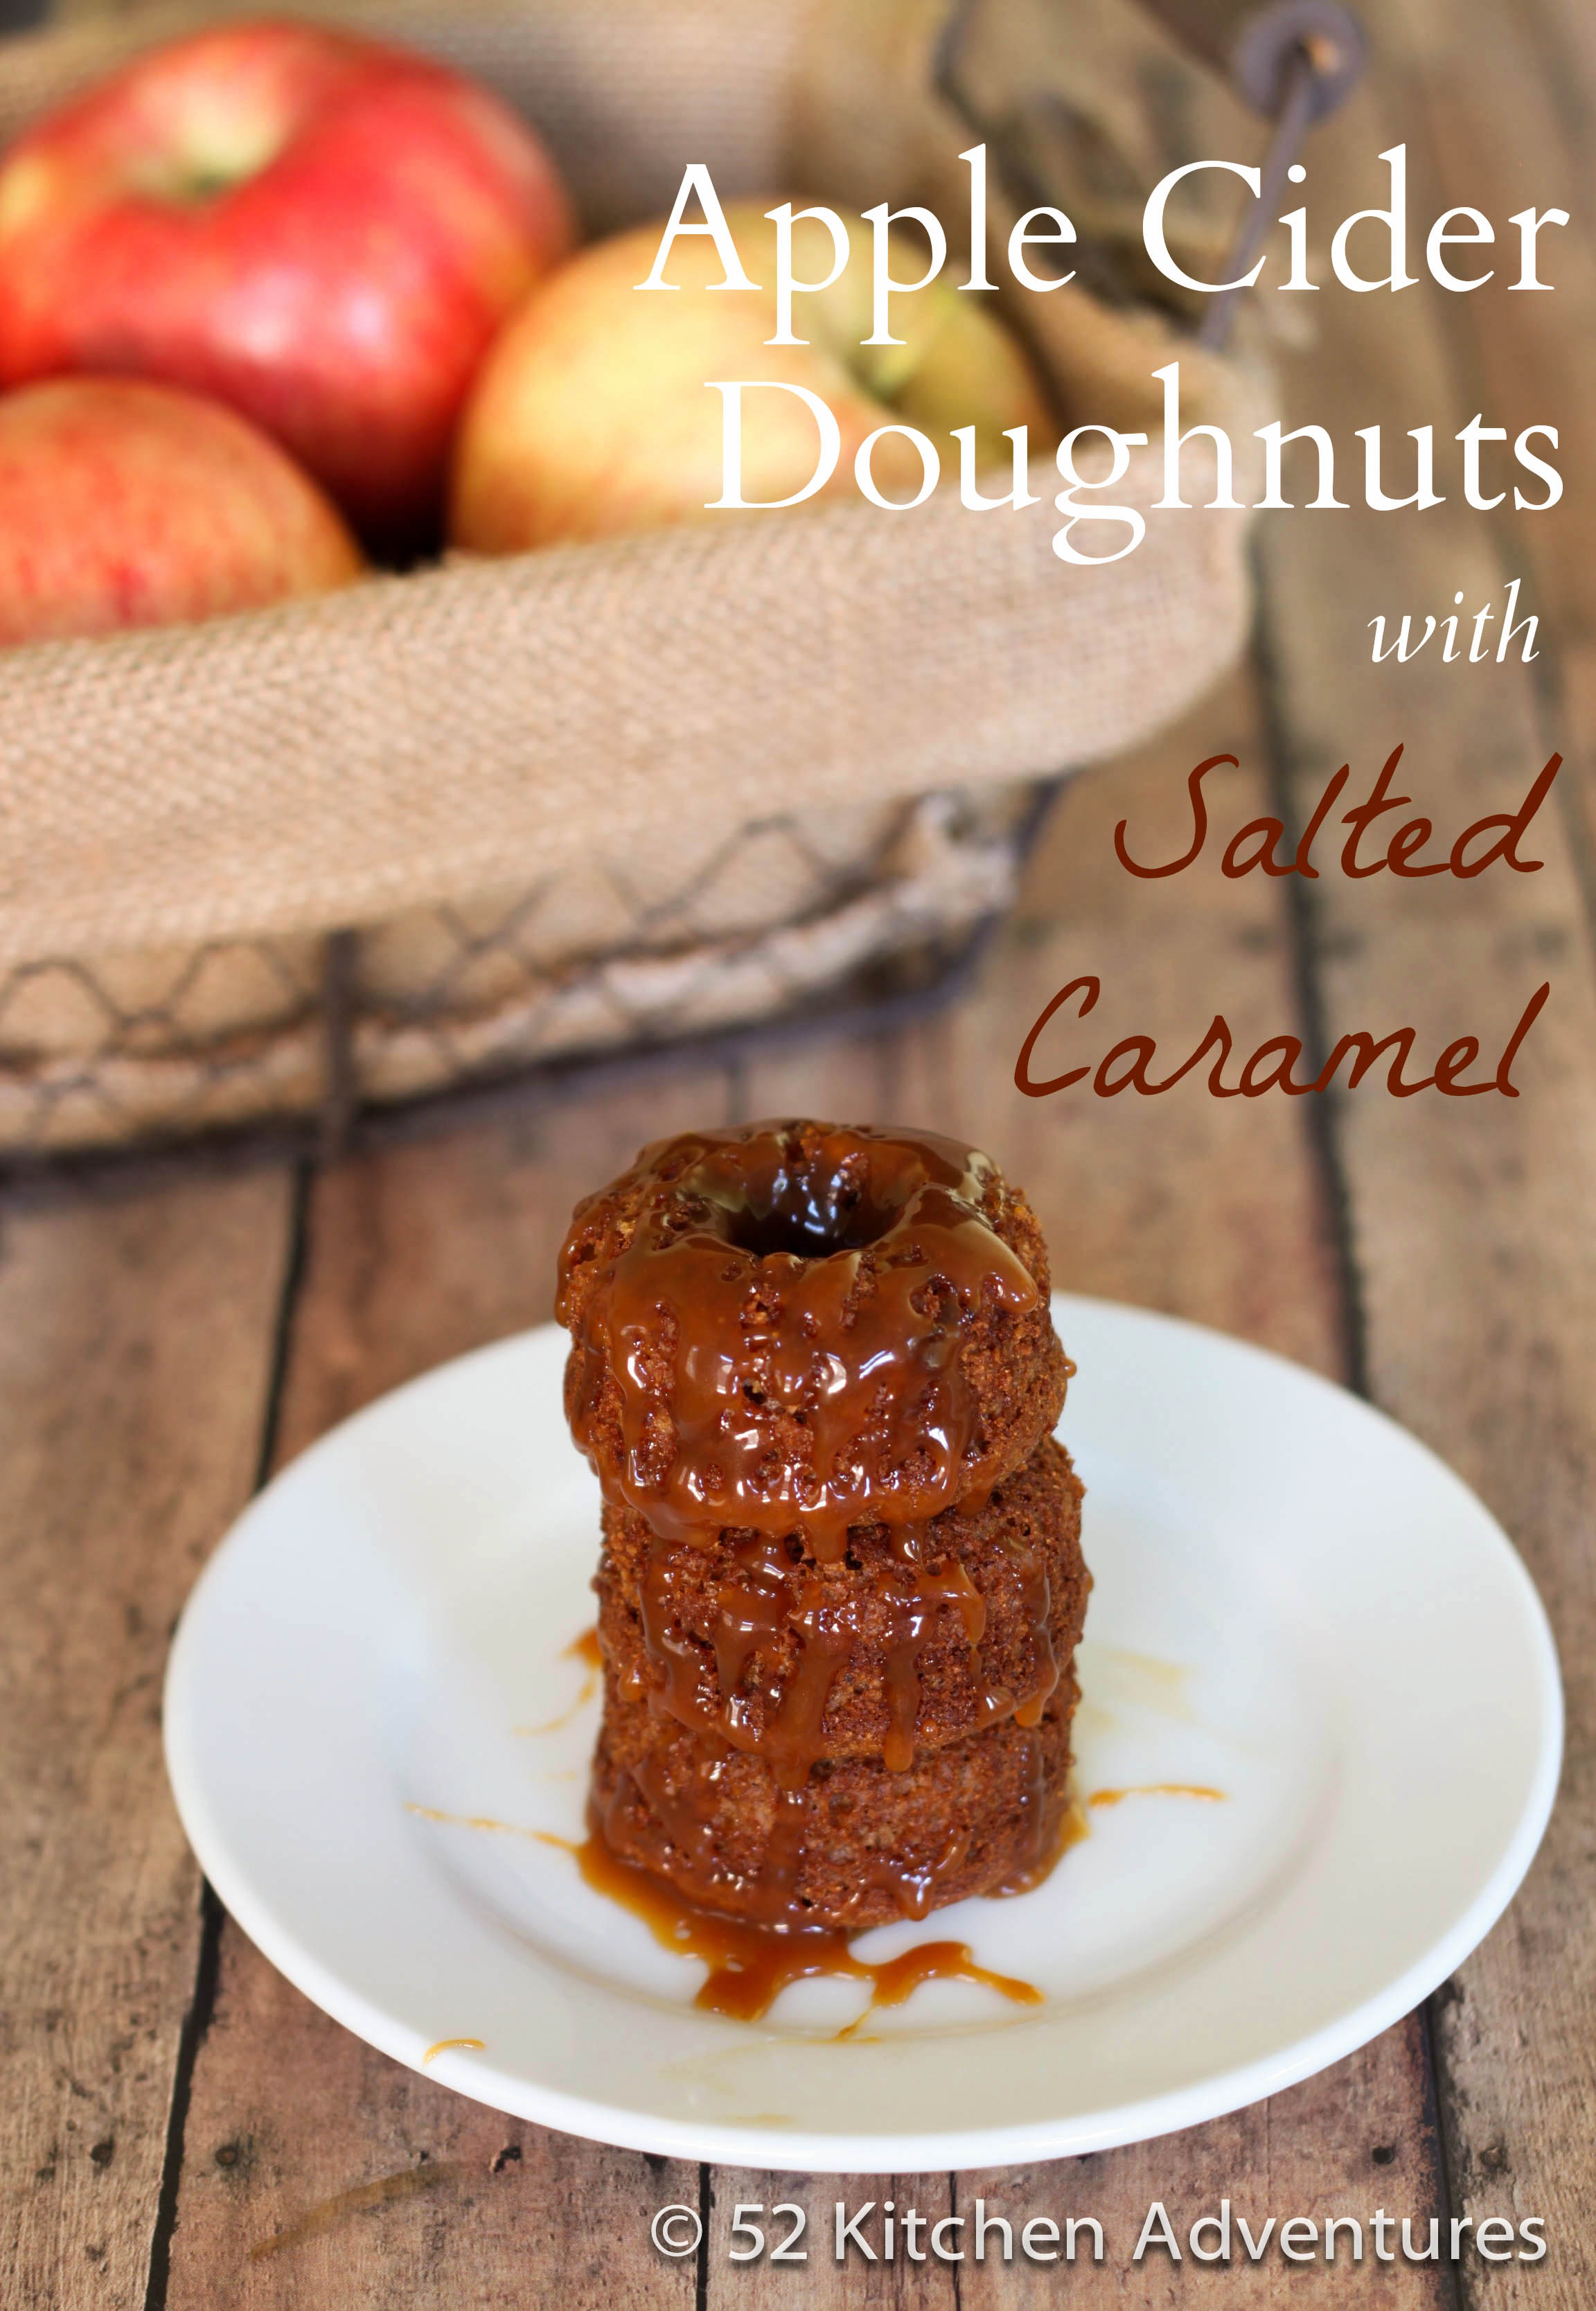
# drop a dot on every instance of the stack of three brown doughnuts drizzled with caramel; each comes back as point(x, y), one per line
point(842, 1573)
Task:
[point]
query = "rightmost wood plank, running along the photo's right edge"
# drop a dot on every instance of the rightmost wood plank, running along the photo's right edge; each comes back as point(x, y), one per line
point(1472, 1221)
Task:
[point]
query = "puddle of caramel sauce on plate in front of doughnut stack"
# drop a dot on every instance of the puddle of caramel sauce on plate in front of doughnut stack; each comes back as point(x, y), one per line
point(752, 1966)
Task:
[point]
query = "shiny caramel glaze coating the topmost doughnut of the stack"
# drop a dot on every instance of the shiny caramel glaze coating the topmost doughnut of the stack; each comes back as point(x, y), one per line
point(816, 1307)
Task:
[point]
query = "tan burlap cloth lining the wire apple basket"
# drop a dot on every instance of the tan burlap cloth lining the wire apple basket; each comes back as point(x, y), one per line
point(202, 805)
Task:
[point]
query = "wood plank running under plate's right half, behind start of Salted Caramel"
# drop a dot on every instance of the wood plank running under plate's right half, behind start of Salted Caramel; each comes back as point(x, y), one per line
point(1211, 1210)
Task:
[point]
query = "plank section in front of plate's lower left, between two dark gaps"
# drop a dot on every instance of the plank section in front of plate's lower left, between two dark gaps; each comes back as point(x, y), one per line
point(320, 2176)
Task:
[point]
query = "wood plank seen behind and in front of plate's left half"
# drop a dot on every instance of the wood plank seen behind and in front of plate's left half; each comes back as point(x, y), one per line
point(318, 2171)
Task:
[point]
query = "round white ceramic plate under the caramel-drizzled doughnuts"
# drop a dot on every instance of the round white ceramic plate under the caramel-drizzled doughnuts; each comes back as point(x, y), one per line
point(1295, 1603)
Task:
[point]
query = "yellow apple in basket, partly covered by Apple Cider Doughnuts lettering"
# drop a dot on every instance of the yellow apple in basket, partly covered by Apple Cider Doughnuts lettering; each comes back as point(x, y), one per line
point(595, 410)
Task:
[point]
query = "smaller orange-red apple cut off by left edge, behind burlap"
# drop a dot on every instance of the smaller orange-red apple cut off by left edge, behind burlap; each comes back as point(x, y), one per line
point(133, 505)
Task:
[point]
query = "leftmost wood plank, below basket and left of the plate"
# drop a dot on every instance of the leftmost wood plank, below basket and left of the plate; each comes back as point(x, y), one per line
point(135, 1362)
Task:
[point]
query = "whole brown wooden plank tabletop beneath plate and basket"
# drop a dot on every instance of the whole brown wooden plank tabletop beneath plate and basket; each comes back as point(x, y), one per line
point(181, 2130)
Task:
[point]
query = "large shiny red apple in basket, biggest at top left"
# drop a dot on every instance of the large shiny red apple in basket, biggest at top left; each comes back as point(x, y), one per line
point(313, 228)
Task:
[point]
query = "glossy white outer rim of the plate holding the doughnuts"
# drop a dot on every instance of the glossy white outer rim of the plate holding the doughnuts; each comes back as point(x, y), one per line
point(840, 2153)
